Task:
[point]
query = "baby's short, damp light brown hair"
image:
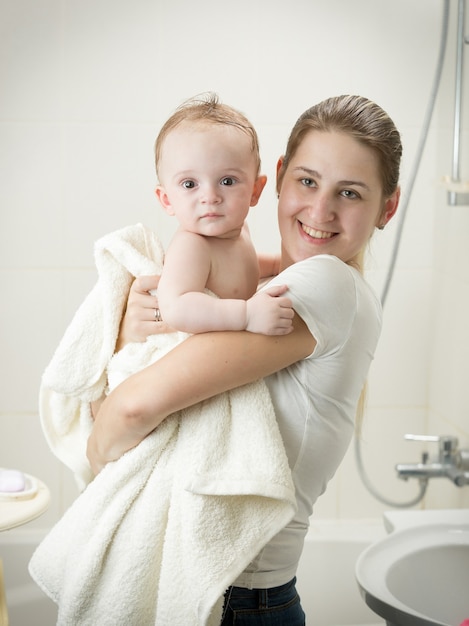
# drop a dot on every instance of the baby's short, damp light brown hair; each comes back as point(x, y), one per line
point(207, 109)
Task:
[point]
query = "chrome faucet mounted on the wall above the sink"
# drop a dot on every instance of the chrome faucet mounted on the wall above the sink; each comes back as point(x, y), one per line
point(451, 462)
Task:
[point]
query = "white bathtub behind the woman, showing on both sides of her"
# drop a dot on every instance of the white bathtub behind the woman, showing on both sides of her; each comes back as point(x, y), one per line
point(326, 575)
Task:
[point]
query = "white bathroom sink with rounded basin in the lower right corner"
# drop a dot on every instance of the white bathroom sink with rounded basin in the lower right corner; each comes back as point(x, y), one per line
point(419, 574)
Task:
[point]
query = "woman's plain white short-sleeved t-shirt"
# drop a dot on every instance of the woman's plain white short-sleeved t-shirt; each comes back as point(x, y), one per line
point(315, 399)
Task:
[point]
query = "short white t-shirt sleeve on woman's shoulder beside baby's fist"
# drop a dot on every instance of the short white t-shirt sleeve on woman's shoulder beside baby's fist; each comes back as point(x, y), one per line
point(323, 292)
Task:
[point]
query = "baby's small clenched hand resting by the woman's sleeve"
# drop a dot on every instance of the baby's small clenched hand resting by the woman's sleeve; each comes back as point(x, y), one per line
point(269, 312)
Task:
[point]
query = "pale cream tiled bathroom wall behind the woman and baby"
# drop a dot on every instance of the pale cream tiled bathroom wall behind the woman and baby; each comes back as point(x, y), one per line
point(84, 88)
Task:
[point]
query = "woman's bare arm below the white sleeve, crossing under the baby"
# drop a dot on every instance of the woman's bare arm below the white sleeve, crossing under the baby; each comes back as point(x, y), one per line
point(199, 368)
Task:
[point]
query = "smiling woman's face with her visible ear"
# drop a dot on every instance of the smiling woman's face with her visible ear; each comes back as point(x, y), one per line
point(331, 198)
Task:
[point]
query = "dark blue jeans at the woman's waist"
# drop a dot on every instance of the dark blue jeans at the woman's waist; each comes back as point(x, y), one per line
point(277, 606)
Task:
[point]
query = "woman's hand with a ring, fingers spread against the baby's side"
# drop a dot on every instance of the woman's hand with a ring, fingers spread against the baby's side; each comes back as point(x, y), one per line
point(141, 317)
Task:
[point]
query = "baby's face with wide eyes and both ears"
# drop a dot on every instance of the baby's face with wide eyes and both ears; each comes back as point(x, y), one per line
point(208, 176)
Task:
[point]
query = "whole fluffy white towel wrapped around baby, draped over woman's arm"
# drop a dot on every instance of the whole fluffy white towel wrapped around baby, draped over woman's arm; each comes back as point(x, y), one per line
point(158, 535)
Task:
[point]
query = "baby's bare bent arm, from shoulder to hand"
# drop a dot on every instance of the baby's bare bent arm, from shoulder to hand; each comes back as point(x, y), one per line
point(185, 305)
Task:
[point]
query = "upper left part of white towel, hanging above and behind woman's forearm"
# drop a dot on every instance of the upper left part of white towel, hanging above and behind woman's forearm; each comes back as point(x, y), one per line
point(76, 374)
